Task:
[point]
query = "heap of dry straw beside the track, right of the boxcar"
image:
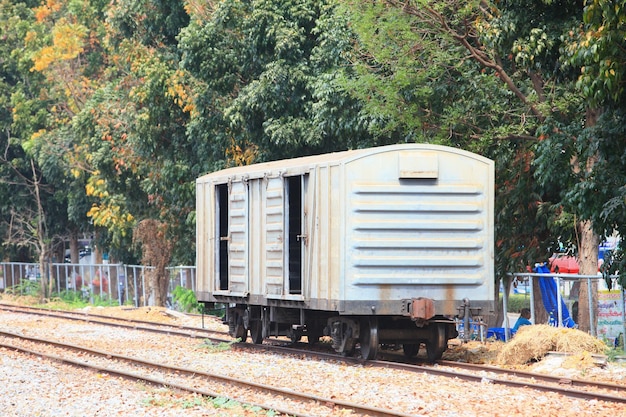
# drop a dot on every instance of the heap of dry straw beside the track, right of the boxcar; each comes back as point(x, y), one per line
point(531, 343)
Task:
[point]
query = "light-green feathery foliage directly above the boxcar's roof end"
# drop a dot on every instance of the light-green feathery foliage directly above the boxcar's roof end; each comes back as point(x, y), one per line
point(415, 81)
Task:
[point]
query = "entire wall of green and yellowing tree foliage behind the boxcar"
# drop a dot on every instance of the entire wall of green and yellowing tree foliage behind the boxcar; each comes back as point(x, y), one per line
point(120, 106)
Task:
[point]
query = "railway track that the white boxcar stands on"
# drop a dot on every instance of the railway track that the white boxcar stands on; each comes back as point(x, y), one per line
point(574, 388)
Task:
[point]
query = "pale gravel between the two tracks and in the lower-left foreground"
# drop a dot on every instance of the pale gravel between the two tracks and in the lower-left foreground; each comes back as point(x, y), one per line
point(36, 387)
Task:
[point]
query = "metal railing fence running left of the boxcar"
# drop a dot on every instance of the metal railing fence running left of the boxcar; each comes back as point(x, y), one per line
point(128, 284)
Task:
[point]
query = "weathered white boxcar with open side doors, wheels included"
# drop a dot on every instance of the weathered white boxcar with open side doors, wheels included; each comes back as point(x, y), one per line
point(369, 246)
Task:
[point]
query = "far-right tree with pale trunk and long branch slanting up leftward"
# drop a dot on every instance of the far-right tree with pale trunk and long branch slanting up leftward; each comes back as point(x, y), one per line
point(541, 50)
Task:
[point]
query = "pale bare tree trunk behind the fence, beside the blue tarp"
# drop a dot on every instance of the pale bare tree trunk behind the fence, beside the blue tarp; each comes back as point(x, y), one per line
point(588, 262)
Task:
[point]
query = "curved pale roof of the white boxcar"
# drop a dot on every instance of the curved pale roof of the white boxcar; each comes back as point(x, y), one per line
point(336, 158)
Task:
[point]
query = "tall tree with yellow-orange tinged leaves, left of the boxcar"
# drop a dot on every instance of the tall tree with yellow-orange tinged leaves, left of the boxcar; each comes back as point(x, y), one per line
point(118, 121)
